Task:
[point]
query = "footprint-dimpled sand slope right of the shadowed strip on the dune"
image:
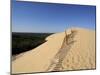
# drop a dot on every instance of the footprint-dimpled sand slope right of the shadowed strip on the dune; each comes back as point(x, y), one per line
point(82, 53)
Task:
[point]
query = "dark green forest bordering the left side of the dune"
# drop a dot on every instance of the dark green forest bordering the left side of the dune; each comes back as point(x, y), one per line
point(22, 42)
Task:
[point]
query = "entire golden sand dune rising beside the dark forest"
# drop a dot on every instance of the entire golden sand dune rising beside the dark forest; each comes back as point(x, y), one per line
point(72, 50)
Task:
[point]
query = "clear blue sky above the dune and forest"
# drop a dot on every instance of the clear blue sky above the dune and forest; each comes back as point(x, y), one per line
point(43, 17)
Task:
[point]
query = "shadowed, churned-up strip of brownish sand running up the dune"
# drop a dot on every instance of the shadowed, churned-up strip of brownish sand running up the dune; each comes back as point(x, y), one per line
point(56, 63)
